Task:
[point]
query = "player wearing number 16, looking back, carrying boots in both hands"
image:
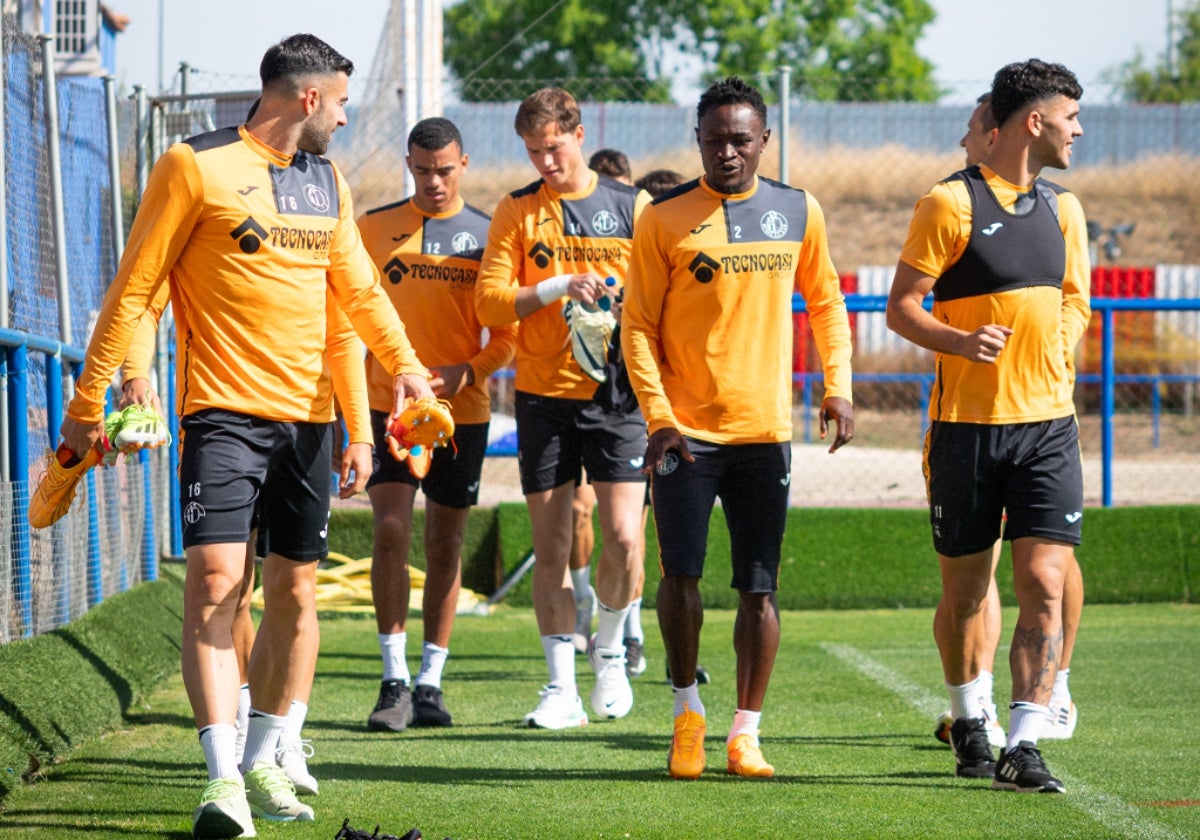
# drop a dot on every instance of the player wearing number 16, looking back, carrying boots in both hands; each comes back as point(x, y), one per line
point(251, 229)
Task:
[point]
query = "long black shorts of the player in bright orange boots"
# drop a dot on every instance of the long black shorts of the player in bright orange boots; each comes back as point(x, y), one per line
point(753, 482)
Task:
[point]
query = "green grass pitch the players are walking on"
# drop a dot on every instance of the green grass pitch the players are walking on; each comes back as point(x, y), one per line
point(855, 757)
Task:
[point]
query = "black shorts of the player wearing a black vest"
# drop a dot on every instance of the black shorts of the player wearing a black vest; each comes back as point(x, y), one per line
point(1030, 475)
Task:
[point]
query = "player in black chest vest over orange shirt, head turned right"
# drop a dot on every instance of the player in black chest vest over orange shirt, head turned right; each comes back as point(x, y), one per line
point(1006, 257)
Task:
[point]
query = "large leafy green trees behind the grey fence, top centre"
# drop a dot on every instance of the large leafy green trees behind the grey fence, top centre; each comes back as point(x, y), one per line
point(838, 50)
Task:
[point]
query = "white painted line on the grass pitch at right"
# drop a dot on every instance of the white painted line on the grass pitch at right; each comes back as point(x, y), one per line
point(1107, 809)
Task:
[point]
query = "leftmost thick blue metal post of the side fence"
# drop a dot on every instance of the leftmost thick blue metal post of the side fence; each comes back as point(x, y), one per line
point(19, 457)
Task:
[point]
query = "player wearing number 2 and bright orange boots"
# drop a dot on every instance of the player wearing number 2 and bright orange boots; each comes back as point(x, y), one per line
point(722, 257)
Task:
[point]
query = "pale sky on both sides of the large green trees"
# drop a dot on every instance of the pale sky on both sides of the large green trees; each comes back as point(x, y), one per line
point(967, 44)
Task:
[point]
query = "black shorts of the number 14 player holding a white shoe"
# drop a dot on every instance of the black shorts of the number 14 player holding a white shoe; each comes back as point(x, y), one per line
point(557, 436)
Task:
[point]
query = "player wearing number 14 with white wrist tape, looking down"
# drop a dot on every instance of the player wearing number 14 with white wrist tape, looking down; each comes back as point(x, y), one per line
point(563, 237)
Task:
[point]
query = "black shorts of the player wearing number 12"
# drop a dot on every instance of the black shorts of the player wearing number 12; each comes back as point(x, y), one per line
point(453, 481)
